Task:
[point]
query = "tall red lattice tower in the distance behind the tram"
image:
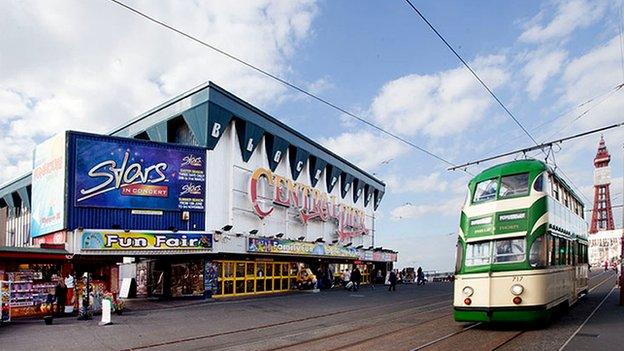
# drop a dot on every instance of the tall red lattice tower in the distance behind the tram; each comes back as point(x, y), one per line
point(602, 215)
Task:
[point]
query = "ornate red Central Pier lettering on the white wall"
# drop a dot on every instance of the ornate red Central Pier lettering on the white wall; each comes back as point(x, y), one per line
point(310, 203)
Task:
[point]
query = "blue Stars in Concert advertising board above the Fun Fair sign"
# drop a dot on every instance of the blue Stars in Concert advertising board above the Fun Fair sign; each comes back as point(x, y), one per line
point(118, 173)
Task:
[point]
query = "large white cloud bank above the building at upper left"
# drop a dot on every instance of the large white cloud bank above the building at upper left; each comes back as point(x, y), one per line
point(93, 65)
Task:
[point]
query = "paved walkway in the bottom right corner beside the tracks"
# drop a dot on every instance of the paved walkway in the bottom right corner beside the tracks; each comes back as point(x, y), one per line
point(604, 330)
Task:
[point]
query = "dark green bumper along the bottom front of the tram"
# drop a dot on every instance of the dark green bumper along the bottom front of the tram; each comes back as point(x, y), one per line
point(501, 314)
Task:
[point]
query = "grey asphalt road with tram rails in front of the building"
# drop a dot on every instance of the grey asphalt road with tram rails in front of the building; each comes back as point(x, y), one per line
point(413, 317)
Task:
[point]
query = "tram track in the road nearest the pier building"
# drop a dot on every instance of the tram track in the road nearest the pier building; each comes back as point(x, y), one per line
point(341, 313)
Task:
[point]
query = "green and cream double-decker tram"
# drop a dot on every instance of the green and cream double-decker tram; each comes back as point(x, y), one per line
point(522, 247)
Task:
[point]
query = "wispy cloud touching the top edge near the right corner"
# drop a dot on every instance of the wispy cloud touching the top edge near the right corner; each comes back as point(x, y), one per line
point(571, 14)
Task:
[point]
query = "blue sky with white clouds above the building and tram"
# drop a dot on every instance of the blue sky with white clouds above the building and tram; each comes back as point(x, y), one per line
point(93, 65)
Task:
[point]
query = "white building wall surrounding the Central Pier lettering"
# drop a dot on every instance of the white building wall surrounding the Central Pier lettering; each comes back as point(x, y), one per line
point(228, 199)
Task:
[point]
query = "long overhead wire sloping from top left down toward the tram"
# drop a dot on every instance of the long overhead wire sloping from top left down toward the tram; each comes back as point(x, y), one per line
point(284, 82)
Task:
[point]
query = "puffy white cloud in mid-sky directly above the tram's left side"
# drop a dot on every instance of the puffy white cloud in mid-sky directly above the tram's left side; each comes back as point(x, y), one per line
point(438, 104)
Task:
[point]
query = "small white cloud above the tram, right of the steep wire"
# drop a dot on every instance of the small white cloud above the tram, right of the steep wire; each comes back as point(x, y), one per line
point(542, 65)
